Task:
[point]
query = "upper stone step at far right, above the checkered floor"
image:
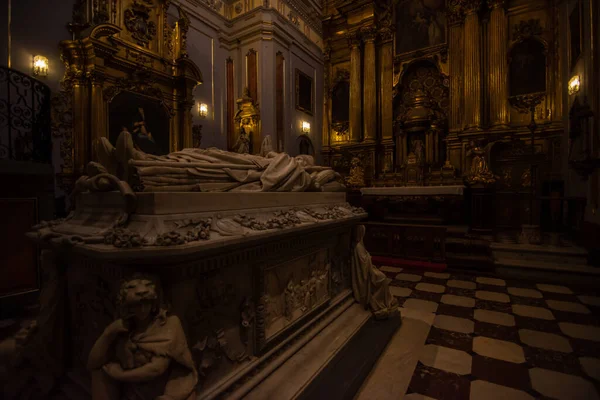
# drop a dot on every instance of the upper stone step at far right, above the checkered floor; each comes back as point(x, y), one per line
point(550, 254)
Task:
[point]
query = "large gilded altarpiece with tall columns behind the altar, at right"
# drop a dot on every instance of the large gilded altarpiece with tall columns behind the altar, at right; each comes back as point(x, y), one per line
point(470, 43)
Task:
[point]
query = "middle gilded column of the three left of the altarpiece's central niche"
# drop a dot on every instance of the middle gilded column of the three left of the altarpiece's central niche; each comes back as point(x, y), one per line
point(370, 87)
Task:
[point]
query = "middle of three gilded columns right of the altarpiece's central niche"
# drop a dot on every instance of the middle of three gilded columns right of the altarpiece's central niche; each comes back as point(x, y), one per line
point(472, 70)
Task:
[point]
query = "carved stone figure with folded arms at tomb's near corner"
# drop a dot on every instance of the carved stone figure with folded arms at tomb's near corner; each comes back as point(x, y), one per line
point(143, 354)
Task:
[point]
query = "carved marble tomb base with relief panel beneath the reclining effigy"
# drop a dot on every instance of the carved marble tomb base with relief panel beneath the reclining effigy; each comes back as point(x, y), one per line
point(265, 286)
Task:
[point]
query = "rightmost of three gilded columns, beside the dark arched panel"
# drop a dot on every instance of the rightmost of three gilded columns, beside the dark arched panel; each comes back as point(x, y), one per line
point(497, 77)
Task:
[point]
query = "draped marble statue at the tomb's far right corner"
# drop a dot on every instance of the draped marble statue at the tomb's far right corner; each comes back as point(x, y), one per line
point(370, 286)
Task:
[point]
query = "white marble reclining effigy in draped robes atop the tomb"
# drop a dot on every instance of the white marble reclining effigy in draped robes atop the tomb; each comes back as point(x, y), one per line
point(212, 169)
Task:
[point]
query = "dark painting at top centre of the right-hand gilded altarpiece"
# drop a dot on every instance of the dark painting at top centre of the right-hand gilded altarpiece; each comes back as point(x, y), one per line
point(420, 24)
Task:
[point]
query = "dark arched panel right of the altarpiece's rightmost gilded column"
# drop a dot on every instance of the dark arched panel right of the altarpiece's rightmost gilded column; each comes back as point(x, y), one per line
point(527, 67)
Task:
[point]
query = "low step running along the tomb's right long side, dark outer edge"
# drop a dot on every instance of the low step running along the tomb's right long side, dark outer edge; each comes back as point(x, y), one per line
point(334, 364)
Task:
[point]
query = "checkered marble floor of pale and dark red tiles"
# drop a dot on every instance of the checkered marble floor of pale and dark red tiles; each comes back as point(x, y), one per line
point(495, 339)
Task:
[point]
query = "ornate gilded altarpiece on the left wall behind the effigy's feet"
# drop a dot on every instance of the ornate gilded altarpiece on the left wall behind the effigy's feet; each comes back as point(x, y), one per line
point(123, 46)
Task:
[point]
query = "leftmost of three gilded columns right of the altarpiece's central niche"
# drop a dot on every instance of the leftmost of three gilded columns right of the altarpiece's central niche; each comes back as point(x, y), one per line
point(456, 56)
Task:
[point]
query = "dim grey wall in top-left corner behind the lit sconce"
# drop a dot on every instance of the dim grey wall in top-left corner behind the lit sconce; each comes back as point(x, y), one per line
point(37, 28)
